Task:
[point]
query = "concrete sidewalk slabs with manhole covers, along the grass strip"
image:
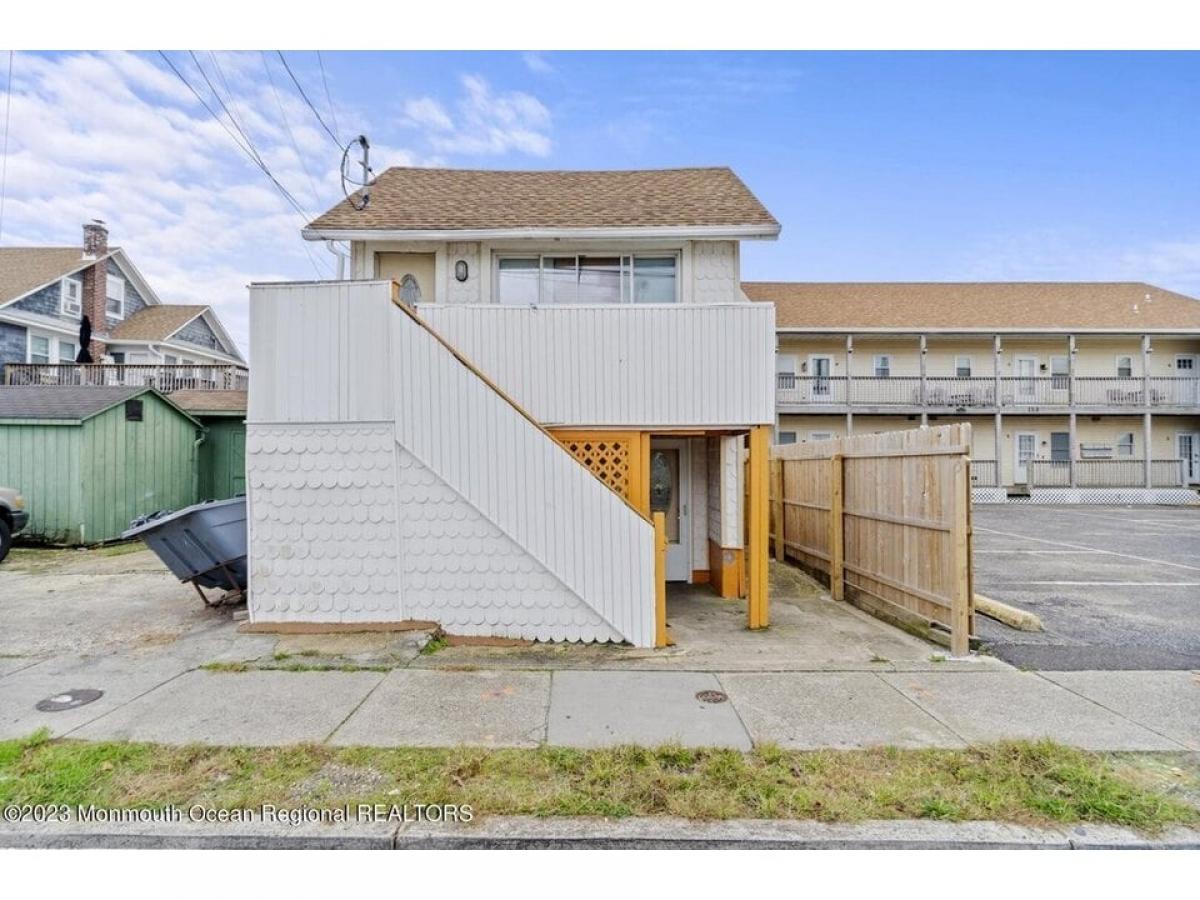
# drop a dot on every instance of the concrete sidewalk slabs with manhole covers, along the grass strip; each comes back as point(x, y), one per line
point(159, 698)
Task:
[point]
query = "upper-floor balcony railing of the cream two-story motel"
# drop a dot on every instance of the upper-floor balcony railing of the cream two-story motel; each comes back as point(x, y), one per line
point(987, 393)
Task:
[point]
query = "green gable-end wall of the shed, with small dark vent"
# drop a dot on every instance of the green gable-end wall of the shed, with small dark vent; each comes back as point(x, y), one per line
point(131, 469)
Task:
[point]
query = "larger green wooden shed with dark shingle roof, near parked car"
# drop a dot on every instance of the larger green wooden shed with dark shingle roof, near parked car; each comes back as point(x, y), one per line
point(91, 459)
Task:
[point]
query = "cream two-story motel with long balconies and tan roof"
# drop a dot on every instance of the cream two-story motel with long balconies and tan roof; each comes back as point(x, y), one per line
point(1066, 386)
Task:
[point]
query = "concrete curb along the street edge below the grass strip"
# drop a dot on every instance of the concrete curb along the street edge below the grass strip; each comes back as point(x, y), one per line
point(527, 833)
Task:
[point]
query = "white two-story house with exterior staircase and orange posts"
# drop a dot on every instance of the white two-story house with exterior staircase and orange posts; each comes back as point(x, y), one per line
point(567, 353)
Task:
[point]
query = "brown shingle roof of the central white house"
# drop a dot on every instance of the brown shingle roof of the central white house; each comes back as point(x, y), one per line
point(461, 200)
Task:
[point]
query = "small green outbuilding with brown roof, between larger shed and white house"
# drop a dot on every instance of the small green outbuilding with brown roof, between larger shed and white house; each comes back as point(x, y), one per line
point(224, 453)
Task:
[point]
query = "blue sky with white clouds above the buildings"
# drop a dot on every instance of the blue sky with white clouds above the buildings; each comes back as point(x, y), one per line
point(902, 166)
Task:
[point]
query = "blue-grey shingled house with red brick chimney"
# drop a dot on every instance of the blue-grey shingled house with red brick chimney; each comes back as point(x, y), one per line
point(46, 291)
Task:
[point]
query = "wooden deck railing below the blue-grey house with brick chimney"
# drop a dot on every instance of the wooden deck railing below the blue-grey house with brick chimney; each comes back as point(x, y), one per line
point(164, 379)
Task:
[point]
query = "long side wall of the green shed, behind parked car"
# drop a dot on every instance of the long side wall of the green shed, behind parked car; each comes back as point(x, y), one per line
point(43, 463)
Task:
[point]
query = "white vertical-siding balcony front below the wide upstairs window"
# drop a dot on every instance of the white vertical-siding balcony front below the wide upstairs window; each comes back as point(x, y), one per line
point(652, 367)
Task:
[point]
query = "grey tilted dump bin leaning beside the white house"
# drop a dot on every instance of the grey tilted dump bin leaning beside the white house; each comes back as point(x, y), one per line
point(205, 544)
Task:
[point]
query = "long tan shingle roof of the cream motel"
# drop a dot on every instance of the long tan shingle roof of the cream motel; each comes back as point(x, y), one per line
point(976, 305)
